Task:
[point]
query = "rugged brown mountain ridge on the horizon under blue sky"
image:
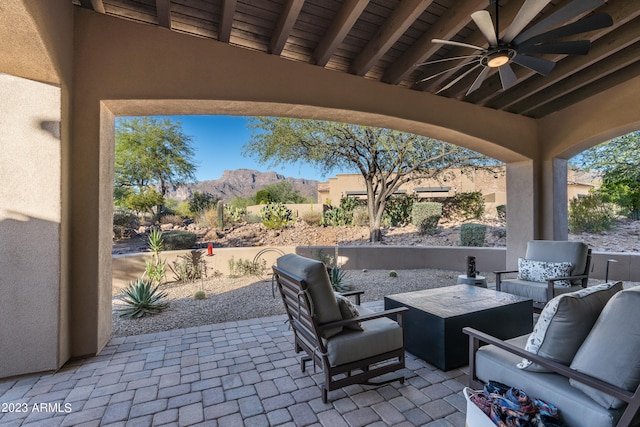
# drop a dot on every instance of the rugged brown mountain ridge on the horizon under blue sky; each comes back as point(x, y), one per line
point(242, 183)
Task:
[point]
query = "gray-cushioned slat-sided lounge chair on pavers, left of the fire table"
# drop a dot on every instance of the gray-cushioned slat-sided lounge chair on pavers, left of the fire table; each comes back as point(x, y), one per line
point(350, 350)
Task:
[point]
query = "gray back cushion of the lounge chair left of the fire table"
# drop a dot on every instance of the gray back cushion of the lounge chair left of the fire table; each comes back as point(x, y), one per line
point(314, 273)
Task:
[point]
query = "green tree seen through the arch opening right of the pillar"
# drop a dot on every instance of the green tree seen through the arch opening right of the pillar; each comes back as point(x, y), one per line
point(619, 162)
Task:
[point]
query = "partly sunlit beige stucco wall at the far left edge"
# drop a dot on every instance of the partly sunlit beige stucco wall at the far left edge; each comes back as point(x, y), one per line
point(30, 226)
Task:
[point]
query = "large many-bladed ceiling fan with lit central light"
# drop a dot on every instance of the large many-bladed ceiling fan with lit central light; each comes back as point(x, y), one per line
point(517, 46)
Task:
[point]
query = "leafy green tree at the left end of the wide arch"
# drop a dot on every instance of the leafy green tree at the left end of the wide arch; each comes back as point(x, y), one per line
point(152, 153)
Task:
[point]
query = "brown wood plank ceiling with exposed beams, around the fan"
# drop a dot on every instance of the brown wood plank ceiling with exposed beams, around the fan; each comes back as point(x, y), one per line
point(383, 40)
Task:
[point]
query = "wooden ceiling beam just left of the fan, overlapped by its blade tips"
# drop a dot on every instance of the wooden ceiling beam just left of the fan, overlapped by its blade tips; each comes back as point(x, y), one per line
point(447, 26)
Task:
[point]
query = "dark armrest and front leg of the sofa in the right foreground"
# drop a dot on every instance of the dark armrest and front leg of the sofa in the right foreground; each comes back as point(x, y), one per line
point(476, 337)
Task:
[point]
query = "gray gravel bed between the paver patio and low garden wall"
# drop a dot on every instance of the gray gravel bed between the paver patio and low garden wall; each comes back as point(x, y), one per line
point(244, 298)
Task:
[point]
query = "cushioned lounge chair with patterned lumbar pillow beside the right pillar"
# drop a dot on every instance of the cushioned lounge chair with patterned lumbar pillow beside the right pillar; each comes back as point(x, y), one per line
point(549, 268)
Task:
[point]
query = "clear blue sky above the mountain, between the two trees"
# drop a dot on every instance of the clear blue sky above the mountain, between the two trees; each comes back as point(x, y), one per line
point(218, 142)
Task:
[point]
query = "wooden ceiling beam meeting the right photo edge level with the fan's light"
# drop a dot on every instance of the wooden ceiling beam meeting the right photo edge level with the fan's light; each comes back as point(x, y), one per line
point(575, 81)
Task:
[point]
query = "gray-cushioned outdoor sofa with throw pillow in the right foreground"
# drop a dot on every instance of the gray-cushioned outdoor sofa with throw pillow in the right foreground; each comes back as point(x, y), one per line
point(583, 356)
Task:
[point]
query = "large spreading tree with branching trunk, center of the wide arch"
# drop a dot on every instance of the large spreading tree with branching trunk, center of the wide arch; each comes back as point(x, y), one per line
point(385, 158)
